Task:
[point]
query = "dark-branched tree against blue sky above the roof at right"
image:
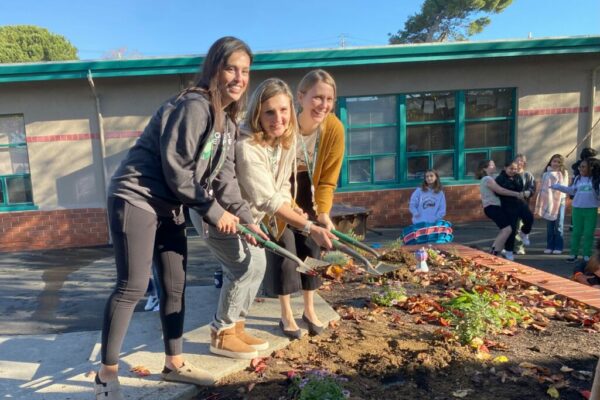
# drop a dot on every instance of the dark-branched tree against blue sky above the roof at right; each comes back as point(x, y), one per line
point(443, 20)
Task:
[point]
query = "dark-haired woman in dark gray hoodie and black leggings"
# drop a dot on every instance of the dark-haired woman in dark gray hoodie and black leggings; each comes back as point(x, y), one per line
point(185, 155)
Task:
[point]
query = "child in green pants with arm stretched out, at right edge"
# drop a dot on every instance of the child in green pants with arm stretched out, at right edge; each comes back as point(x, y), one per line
point(584, 190)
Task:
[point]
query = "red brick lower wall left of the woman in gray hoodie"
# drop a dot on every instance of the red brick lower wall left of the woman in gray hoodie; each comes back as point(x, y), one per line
point(35, 230)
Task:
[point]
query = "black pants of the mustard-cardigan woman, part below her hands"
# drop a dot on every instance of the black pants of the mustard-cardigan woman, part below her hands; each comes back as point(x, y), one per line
point(286, 280)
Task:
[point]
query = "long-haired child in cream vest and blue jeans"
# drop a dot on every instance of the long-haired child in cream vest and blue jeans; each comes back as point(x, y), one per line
point(550, 204)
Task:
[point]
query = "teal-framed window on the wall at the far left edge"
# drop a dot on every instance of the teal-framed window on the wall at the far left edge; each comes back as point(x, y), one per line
point(15, 180)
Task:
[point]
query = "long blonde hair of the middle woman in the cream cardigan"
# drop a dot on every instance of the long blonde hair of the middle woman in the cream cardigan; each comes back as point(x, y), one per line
point(270, 88)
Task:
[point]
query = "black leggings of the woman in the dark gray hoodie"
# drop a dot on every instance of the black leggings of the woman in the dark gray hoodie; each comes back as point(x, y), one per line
point(139, 237)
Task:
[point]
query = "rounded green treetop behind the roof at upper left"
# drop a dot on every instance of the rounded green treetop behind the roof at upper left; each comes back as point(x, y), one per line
point(28, 43)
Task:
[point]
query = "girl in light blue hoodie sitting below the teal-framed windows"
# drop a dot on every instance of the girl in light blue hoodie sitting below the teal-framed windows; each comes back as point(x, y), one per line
point(428, 203)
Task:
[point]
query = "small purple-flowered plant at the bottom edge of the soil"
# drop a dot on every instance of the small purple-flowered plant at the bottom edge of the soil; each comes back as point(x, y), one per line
point(317, 385)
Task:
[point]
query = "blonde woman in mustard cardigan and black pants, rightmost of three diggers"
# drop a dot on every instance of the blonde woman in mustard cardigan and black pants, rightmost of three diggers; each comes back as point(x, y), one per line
point(320, 149)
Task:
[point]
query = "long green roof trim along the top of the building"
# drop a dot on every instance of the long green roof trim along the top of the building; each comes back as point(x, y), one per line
point(305, 58)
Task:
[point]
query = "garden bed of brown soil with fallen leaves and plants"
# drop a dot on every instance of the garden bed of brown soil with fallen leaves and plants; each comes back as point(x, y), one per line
point(459, 331)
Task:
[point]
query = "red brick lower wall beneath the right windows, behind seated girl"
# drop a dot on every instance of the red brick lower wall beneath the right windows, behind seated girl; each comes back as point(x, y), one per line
point(390, 207)
